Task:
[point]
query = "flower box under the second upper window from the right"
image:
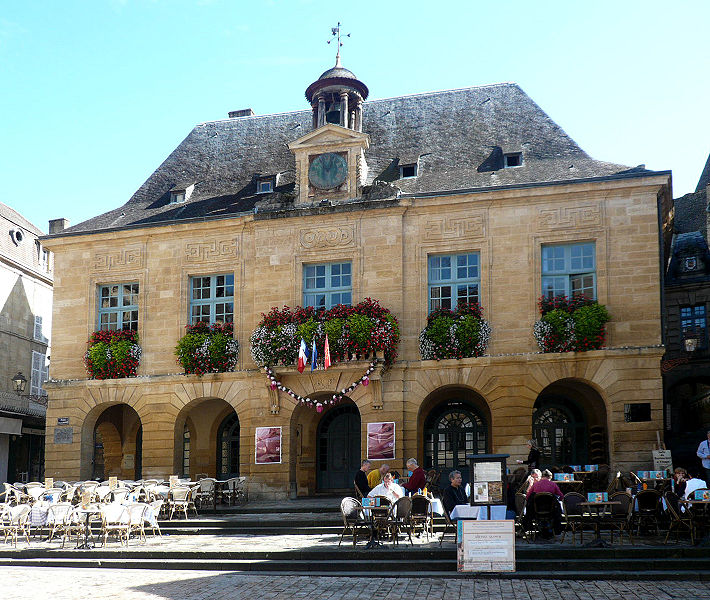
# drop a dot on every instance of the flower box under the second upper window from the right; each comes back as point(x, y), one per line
point(455, 334)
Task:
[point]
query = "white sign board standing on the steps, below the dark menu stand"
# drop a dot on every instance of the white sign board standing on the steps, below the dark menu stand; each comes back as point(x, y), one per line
point(485, 546)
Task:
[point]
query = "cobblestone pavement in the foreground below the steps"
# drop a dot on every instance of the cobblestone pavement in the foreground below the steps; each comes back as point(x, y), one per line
point(117, 584)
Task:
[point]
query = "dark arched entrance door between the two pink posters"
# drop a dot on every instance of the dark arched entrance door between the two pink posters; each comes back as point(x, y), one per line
point(338, 448)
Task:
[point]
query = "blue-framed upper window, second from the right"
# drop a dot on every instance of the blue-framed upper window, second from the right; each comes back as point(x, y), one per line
point(453, 278)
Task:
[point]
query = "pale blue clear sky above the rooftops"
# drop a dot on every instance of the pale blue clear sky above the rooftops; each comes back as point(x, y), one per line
point(95, 94)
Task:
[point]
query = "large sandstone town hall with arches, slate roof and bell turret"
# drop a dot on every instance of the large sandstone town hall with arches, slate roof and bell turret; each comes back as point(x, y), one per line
point(375, 198)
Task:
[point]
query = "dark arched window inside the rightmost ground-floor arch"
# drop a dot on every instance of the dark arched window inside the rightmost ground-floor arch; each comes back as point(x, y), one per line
point(560, 434)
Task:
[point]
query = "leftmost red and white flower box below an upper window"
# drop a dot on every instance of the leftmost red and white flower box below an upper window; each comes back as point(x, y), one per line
point(112, 354)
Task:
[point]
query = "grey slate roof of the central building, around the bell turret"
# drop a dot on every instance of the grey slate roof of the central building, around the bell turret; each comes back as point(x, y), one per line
point(459, 135)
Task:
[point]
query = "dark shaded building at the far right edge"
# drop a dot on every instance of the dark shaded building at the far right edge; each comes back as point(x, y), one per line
point(686, 364)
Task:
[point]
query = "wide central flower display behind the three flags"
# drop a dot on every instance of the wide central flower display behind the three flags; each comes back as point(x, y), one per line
point(354, 333)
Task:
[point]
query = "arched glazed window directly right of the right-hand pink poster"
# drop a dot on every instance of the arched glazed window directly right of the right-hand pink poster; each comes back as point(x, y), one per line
point(450, 433)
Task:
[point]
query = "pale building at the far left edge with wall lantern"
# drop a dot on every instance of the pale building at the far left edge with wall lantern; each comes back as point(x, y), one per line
point(26, 273)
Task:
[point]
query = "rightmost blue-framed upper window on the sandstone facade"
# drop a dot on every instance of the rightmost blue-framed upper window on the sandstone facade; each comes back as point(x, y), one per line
point(569, 270)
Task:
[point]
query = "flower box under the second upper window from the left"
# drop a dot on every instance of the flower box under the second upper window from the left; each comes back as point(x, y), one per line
point(208, 348)
